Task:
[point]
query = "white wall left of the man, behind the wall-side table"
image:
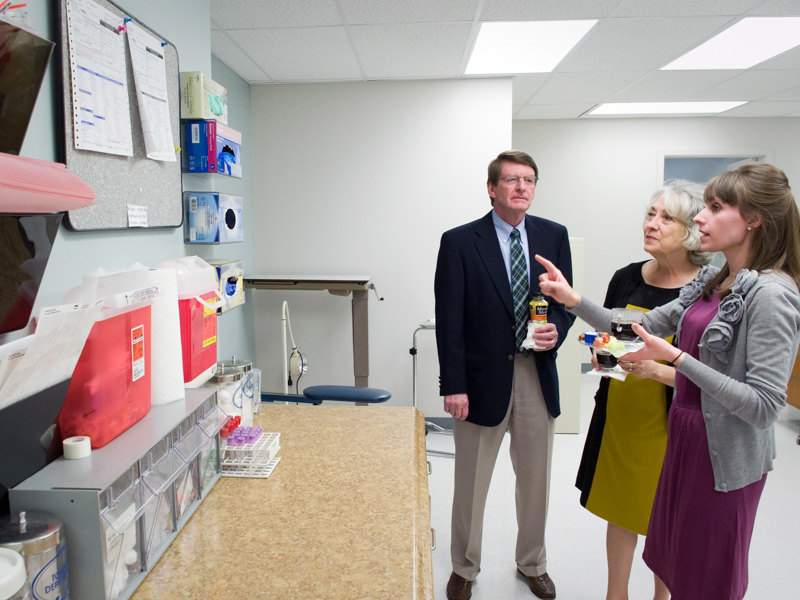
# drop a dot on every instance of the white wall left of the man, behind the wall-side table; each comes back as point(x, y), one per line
point(363, 178)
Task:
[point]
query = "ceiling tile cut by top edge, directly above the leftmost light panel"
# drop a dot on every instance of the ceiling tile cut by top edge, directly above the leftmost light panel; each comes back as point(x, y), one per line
point(545, 10)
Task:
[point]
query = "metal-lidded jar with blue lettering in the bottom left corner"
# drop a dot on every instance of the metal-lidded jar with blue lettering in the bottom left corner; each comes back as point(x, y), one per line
point(39, 538)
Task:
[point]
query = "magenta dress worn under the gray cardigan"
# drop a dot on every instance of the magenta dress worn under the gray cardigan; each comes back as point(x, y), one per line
point(698, 538)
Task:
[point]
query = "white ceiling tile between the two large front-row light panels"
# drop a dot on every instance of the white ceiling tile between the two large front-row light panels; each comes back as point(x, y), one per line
point(639, 44)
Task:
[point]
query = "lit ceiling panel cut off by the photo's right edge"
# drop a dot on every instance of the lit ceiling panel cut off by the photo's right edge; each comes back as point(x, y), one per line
point(749, 42)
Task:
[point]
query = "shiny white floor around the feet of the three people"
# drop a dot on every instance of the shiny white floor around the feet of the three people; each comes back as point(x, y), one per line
point(576, 538)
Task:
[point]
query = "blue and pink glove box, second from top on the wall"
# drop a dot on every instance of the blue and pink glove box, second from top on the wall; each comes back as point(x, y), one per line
point(211, 147)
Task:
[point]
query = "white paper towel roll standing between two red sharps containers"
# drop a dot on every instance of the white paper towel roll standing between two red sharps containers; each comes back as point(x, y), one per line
point(166, 375)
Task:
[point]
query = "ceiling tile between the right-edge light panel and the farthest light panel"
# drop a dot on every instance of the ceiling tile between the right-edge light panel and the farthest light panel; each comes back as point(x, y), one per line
point(671, 86)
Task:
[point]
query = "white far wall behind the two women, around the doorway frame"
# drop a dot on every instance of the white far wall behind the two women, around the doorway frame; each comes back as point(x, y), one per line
point(597, 174)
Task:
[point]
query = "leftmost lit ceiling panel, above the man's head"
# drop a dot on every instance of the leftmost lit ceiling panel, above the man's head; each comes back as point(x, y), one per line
point(524, 46)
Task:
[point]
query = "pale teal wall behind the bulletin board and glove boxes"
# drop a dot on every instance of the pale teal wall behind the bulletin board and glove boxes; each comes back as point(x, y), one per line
point(186, 24)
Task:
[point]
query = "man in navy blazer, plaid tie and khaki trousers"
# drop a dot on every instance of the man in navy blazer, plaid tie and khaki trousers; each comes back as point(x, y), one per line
point(489, 383)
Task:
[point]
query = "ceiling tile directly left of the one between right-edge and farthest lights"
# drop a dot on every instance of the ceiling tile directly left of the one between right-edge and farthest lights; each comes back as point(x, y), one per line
point(584, 87)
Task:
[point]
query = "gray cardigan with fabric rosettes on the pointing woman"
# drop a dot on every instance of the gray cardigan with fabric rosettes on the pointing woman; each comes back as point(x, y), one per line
point(743, 386)
